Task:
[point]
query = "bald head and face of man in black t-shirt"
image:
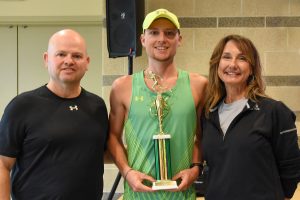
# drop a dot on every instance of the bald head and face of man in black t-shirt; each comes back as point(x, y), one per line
point(66, 58)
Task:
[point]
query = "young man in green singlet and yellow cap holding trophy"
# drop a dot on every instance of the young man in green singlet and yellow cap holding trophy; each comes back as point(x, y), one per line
point(132, 102)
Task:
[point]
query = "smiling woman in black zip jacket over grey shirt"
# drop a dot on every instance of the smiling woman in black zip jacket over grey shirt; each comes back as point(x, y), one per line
point(249, 140)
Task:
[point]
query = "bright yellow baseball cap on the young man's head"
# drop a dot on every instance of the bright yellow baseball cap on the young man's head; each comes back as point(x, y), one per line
point(160, 13)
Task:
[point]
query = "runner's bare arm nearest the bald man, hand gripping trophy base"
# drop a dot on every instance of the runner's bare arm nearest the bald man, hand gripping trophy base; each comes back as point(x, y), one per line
point(119, 105)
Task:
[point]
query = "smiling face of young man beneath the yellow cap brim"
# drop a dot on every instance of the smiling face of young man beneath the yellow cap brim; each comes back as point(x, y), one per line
point(161, 40)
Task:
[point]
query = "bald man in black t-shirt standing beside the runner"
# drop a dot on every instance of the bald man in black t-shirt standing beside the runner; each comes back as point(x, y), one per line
point(52, 139)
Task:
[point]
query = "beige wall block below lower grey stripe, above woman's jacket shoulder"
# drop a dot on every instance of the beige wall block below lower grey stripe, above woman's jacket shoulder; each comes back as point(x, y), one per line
point(288, 94)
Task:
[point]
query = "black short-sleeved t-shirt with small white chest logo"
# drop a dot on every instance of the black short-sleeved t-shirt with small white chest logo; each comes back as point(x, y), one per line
point(58, 143)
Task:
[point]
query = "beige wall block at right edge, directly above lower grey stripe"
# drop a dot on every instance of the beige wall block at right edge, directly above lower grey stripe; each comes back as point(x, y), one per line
point(282, 63)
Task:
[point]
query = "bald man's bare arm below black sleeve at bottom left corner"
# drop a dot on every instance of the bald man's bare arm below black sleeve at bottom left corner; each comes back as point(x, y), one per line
point(6, 164)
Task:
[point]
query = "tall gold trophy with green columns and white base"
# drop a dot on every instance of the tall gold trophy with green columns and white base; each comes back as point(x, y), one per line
point(163, 170)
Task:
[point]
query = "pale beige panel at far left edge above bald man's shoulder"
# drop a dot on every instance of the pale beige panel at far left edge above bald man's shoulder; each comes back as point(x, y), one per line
point(8, 67)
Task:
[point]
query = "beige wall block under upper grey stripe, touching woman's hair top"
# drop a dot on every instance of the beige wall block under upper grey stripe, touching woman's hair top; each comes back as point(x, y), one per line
point(207, 38)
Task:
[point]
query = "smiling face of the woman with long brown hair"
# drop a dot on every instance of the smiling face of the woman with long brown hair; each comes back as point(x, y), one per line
point(234, 69)
